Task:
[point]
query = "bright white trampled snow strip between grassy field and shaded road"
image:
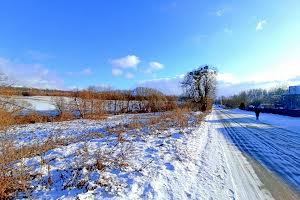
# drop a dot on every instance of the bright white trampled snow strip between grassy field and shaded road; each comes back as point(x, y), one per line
point(212, 170)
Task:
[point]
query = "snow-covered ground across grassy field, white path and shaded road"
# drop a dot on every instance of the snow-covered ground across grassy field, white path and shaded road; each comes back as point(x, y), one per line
point(214, 159)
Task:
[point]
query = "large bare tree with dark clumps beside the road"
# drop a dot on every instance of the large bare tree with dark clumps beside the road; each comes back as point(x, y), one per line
point(200, 85)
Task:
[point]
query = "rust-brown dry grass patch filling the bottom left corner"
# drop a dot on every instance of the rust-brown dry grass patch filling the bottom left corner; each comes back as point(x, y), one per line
point(15, 178)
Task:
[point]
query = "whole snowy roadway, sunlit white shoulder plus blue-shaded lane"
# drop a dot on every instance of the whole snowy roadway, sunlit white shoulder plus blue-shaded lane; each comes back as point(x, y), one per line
point(233, 156)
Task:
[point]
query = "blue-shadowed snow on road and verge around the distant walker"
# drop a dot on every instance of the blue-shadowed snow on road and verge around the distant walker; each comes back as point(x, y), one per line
point(273, 141)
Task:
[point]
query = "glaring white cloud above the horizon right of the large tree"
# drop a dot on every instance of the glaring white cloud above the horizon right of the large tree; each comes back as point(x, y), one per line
point(283, 72)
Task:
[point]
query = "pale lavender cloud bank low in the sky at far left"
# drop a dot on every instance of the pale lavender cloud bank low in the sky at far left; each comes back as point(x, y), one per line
point(30, 75)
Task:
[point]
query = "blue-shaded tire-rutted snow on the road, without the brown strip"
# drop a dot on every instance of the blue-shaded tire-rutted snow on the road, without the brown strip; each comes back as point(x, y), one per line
point(256, 142)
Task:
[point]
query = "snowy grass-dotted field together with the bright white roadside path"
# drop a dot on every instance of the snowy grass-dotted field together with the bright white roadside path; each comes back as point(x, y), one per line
point(139, 156)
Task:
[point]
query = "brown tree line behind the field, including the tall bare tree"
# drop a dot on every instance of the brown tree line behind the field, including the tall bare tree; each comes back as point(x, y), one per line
point(199, 88)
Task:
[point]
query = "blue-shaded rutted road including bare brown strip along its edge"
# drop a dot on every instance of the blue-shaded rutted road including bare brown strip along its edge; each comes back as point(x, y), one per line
point(273, 152)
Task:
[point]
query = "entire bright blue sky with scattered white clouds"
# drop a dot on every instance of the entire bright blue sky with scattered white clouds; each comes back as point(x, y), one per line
point(124, 44)
